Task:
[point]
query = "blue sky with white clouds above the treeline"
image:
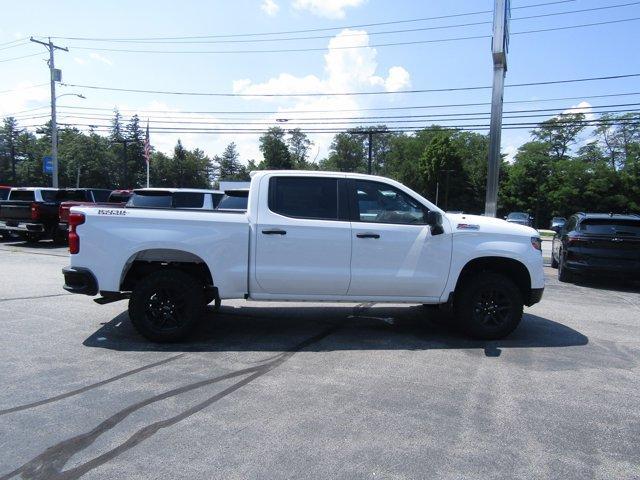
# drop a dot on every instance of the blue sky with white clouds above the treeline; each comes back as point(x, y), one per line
point(573, 53)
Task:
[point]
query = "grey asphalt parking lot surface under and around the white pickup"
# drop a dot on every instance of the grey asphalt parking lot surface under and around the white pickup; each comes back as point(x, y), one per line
point(314, 391)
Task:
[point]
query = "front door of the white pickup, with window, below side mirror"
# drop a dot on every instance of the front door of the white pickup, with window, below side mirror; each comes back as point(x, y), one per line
point(394, 253)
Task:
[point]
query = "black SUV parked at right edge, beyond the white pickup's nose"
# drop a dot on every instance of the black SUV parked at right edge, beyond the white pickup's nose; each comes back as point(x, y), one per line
point(598, 243)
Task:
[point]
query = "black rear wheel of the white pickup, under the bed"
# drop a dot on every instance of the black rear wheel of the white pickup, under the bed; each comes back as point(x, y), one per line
point(166, 305)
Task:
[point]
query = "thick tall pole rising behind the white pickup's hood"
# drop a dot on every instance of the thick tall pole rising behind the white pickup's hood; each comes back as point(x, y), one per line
point(499, 49)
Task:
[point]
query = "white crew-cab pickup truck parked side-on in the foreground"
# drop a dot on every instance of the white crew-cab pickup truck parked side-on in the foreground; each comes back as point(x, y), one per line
point(306, 236)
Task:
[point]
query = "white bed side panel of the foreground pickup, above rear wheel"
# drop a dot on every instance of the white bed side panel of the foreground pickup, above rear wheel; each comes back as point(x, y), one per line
point(111, 238)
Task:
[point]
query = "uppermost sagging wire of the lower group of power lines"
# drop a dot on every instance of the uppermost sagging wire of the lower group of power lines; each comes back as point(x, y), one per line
point(329, 94)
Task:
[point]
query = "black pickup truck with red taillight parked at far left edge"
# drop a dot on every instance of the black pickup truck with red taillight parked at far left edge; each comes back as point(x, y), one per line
point(32, 213)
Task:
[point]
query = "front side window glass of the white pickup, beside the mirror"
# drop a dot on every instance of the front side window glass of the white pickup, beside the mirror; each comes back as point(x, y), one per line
point(380, 203)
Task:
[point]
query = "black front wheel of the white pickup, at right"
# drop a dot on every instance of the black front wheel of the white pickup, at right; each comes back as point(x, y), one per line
point(489, 306)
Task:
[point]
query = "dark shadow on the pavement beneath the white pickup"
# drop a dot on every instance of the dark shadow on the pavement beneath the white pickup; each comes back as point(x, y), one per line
point(265, 328)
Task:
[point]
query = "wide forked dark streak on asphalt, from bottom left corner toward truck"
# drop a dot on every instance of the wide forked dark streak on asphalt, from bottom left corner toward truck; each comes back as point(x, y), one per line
point(49, 464)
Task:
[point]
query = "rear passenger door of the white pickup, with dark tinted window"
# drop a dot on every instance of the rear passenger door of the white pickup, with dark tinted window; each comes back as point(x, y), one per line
point(303, 236)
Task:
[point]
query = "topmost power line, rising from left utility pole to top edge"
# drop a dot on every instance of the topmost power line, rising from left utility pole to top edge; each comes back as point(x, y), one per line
point(286, 32)
